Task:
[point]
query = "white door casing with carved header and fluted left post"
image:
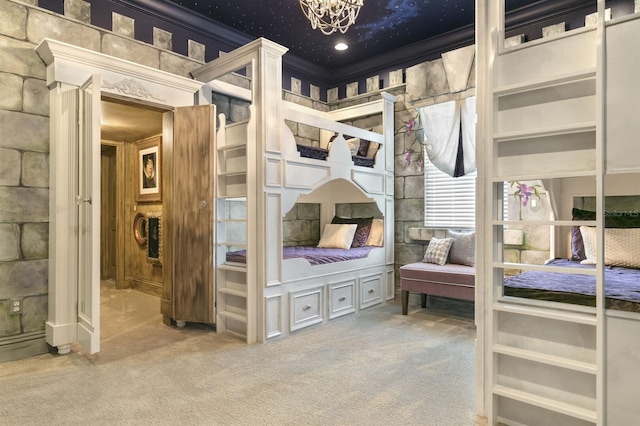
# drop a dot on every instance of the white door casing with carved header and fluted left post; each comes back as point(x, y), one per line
point(74, 303)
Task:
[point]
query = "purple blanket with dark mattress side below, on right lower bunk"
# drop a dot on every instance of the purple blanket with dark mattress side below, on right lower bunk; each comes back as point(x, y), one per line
point(622, 286)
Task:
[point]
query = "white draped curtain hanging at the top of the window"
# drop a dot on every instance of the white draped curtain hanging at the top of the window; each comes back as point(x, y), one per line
point(443, 124)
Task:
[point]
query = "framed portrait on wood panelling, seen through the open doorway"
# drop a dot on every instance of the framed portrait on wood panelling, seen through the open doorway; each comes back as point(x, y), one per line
point(149, 170)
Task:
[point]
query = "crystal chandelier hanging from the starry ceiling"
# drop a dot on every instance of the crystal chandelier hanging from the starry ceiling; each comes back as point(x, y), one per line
point(331, 15)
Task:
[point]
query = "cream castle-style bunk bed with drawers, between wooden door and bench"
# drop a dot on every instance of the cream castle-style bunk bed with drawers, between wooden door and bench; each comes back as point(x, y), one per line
point(265, 290)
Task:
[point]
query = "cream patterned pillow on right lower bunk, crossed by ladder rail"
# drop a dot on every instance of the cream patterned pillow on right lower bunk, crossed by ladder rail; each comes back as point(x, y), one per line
point(621, 246)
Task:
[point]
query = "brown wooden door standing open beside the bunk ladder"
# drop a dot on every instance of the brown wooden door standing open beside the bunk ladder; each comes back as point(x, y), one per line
point(192, 211)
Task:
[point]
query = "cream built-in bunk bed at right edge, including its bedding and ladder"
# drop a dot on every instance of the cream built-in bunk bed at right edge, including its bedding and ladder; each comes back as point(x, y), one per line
point(560, 111)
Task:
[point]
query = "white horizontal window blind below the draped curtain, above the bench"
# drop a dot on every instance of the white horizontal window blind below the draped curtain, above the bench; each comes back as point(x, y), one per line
point(449, 202)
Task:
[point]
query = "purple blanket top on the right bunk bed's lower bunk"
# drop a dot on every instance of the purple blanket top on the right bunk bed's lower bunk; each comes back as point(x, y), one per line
point(620, 283)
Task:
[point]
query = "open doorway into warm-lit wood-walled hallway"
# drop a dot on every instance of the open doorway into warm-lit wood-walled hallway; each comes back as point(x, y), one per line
point(125, 271)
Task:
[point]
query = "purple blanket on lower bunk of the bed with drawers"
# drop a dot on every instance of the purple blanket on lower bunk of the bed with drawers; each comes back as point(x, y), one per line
point(314, 255)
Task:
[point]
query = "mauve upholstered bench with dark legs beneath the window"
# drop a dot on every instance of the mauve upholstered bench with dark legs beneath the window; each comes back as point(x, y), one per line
point(448, 280)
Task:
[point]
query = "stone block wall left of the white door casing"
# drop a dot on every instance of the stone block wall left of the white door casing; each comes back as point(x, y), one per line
point(24, 185)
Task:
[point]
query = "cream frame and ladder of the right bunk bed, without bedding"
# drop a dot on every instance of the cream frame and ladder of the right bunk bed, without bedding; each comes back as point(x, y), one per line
point(562, 108)
